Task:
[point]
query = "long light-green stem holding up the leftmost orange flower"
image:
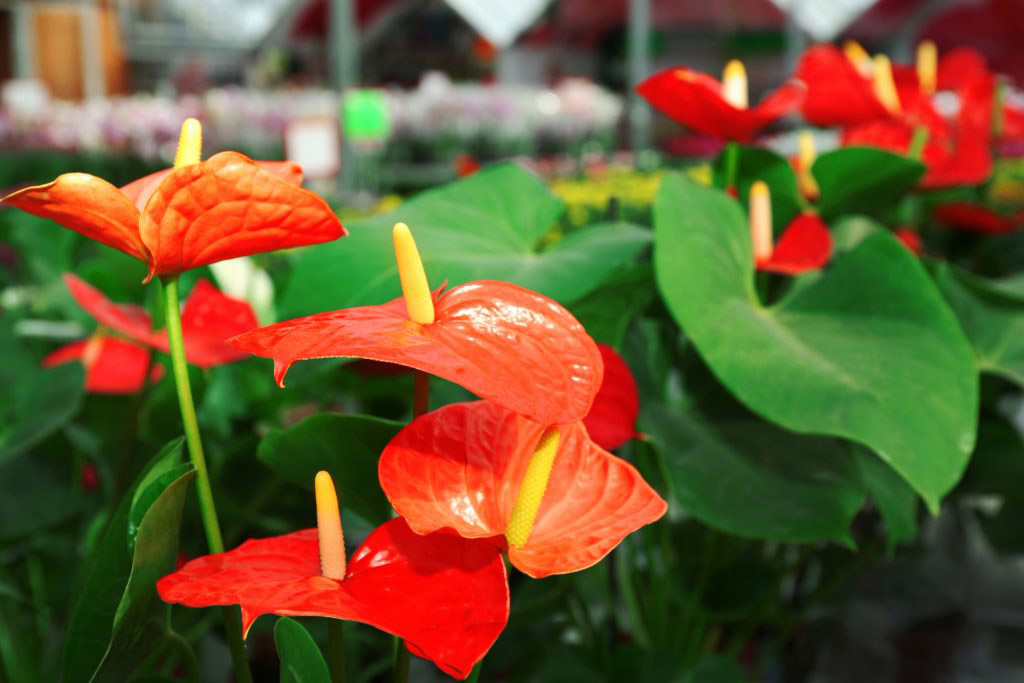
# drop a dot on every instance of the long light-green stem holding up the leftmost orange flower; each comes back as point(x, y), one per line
point(208, 511)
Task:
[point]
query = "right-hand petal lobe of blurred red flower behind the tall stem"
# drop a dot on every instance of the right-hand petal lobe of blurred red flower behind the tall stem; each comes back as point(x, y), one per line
point(209, 319)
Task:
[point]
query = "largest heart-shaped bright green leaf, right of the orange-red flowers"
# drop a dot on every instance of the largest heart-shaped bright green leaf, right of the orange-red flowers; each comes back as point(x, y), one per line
point(868, 352)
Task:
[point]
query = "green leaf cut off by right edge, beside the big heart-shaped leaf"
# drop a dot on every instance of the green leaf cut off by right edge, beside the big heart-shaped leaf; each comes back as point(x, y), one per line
point(993, 316)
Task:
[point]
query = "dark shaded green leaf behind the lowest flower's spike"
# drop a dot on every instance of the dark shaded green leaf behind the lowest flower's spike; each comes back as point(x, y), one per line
point(347, 446)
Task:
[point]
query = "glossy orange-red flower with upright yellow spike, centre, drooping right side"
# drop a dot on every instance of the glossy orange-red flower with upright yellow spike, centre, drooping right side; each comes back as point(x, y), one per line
point(502, 343)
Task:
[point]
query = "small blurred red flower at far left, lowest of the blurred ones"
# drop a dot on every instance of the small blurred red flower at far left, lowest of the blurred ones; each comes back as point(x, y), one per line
point(112, 366)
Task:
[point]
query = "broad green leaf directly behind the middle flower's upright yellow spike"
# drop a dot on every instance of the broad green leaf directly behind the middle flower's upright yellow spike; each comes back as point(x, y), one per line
point(491, 226)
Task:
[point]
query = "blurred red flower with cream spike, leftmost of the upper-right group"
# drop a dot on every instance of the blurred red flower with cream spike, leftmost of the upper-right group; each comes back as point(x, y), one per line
point(720, 110)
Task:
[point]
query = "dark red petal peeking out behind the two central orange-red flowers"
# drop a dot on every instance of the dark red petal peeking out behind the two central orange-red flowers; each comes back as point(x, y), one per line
point(613, 417)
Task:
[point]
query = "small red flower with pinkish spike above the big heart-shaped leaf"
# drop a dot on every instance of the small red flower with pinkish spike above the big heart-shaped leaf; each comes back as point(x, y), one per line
point(805, 246)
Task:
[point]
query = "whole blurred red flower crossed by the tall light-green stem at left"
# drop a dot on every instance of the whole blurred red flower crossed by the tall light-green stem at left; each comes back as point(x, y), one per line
point(209, 318)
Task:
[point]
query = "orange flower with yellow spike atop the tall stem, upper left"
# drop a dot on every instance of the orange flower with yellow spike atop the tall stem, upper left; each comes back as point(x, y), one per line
point(192, 217)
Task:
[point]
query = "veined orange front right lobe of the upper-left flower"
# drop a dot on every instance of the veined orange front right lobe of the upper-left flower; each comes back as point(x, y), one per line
point(229, 207)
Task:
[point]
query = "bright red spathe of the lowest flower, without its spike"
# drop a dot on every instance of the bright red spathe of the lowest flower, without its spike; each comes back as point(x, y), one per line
point(446, 596)
